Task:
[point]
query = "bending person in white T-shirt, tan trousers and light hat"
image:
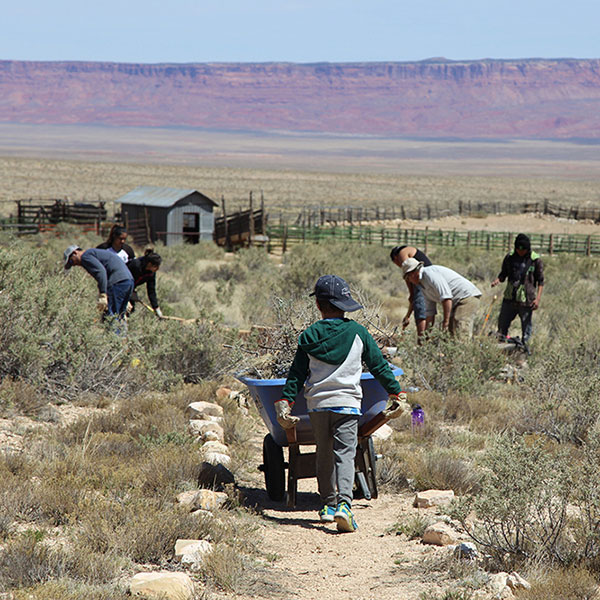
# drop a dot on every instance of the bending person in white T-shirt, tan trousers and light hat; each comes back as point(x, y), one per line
point(459, 298)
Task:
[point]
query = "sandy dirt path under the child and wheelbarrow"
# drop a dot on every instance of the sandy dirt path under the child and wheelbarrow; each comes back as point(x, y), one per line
point(315, 562)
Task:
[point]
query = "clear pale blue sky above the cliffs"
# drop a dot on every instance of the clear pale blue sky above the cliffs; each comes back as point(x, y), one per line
point(301, 31)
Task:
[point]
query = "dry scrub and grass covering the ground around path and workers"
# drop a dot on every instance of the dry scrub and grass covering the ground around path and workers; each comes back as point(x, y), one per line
point(88, 500)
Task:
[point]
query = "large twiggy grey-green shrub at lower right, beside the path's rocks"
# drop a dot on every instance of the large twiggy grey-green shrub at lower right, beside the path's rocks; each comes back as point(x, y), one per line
point(521, 504)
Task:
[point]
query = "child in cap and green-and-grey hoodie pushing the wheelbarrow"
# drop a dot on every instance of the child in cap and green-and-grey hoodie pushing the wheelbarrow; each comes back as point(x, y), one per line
point(328, 366)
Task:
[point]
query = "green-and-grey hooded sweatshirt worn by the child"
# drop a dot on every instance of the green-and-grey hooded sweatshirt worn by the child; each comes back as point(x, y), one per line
point(328, 363)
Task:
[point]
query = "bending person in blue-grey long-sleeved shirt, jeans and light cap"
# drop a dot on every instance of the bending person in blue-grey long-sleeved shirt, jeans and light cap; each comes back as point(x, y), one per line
point(115, 281)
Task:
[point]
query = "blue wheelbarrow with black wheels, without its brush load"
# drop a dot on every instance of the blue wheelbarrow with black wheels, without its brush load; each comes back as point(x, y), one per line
point(265, 392)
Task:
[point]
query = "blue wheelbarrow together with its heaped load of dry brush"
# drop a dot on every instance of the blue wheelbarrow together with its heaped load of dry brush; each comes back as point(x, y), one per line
point(264, 375)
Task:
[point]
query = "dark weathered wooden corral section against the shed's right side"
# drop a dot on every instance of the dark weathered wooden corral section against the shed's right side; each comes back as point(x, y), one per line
point(241, 228)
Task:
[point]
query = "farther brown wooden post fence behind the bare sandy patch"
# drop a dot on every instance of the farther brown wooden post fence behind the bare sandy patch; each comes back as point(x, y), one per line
point(353, 215)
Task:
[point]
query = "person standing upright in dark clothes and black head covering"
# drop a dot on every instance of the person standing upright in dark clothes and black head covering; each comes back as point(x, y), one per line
point(523, 271)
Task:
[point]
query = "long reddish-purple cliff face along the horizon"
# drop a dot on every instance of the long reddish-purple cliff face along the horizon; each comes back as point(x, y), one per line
point(481, 99)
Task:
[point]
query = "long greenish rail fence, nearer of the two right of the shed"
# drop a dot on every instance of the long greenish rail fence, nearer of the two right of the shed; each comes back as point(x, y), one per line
point(282, 236)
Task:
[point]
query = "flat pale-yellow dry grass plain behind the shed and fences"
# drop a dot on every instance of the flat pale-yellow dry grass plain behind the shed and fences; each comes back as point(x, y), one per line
point(383, 180)
